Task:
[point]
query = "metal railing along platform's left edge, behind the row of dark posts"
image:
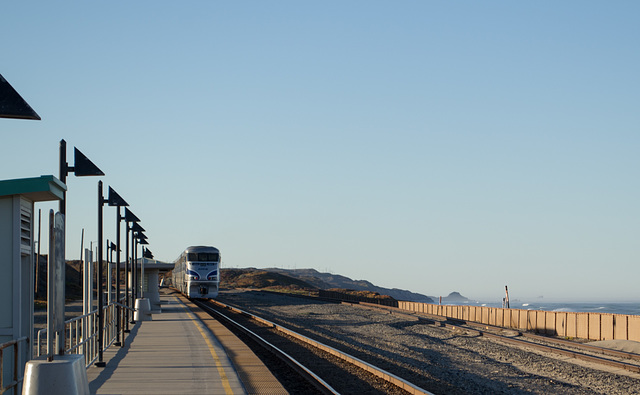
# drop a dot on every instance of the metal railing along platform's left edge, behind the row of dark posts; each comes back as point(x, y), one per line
point(81, 333)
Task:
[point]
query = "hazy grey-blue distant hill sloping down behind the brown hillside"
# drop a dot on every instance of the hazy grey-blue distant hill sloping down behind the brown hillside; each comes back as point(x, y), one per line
point(328, 281)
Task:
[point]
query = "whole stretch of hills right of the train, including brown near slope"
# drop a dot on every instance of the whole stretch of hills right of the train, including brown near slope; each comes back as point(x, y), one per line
point(310, 279)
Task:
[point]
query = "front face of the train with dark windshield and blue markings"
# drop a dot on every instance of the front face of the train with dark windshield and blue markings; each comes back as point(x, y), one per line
point(203, 272)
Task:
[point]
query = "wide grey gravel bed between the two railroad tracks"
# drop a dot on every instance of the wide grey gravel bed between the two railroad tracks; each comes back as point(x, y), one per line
point(433, 358)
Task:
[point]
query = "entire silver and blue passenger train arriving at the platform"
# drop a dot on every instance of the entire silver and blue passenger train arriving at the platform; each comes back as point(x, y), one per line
point(196, 273)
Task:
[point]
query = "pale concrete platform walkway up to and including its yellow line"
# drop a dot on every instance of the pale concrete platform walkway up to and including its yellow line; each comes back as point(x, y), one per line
point(172, 354)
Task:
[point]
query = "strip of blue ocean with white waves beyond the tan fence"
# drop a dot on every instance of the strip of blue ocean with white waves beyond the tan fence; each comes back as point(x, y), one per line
point(583, 307)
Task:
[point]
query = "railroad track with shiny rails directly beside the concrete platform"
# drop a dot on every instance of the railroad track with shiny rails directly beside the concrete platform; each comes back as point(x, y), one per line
point(329, 370)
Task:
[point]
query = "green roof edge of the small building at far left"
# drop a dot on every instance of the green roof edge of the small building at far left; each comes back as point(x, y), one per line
point(37, 189)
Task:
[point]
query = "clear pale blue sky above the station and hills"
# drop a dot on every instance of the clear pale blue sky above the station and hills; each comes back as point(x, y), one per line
point(424, 145)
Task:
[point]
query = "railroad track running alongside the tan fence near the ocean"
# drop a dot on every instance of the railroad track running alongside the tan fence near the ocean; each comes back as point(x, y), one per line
point(566, 348)
